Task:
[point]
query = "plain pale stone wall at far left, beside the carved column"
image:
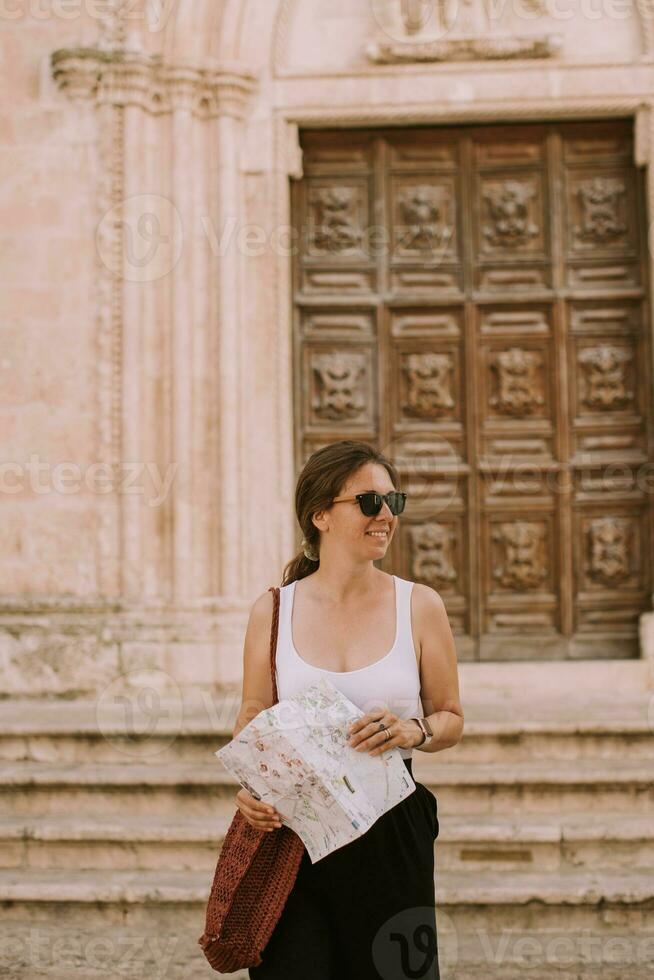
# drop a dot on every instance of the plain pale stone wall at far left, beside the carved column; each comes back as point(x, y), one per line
point(48, 422)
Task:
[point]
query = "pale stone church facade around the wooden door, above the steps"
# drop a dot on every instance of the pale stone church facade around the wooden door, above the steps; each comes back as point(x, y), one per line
point(147, 158)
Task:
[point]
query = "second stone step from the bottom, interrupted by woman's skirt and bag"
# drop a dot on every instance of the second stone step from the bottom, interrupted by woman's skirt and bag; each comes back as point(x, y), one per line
point(548, 842)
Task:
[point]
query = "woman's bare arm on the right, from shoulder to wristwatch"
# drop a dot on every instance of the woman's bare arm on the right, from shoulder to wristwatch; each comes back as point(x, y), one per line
point(439, 678)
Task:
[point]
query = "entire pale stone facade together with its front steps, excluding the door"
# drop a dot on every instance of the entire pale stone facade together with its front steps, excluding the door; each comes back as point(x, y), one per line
point(148, 152)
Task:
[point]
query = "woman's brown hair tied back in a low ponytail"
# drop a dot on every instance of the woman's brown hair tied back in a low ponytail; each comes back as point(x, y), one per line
point(322, 478)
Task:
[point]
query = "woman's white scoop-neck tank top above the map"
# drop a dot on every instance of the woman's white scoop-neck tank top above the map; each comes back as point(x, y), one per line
point(392, 681)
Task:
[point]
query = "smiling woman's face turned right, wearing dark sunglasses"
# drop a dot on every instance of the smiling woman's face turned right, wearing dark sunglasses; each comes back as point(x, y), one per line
point(368, 537)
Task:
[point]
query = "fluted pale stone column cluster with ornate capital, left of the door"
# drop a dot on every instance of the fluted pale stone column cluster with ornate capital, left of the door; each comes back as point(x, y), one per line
point(170, 372)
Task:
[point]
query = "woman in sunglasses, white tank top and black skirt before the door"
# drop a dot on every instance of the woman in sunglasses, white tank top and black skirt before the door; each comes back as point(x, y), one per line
point(366, 910)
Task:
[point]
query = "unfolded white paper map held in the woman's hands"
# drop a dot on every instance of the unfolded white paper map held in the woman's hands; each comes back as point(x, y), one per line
point(295, 757)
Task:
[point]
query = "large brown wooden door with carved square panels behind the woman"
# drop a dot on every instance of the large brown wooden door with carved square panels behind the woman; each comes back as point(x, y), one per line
point(472, 300)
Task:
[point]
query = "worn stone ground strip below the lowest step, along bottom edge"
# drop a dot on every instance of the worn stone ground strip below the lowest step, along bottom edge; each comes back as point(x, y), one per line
point(163, 951)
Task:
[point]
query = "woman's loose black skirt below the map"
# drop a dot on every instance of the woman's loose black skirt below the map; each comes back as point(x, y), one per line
point(367, 911)
